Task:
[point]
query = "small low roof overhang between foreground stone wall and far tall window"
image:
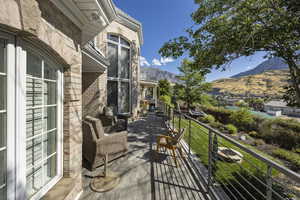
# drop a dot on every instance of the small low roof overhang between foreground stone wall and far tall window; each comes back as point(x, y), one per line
point(92, 60)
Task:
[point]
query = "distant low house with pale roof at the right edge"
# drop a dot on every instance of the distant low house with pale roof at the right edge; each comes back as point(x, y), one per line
point(274, 107)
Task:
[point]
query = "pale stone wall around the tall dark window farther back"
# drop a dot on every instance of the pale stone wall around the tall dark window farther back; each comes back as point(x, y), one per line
point(131, 36)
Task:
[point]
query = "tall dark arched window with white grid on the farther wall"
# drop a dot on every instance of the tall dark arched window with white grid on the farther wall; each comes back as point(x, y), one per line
point(119, 74)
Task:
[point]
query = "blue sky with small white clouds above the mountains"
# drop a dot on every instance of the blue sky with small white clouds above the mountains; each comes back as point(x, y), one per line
point(166, 19)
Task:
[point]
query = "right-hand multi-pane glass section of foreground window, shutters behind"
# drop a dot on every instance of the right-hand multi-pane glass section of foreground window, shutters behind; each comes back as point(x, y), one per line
point(41, 123)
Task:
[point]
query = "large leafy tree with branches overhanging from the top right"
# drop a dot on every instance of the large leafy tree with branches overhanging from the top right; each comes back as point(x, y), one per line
point(228, 29)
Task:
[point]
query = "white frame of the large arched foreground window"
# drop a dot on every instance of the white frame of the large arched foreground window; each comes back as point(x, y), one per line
point(16, 119)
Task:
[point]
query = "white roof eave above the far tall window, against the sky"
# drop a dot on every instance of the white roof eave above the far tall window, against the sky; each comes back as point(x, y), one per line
point(131, 23)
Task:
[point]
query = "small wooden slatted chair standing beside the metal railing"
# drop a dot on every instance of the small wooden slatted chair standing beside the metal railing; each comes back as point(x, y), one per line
point(171, 143)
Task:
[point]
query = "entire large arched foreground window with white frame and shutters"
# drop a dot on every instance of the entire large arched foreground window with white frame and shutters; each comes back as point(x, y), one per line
point(30, 120)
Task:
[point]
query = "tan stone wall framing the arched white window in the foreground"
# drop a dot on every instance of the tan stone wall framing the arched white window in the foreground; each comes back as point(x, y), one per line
point(41, 22)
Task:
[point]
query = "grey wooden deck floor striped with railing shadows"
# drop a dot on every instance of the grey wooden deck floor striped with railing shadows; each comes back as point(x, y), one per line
point(144, 173)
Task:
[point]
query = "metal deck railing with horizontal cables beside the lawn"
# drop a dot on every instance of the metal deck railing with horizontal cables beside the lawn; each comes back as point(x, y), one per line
point(209, 181)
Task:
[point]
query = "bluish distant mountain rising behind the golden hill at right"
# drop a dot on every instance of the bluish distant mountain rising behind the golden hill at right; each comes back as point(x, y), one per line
point(271, 64)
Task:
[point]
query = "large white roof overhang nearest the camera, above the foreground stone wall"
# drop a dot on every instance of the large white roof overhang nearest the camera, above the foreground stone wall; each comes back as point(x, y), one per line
point(91, 16)
